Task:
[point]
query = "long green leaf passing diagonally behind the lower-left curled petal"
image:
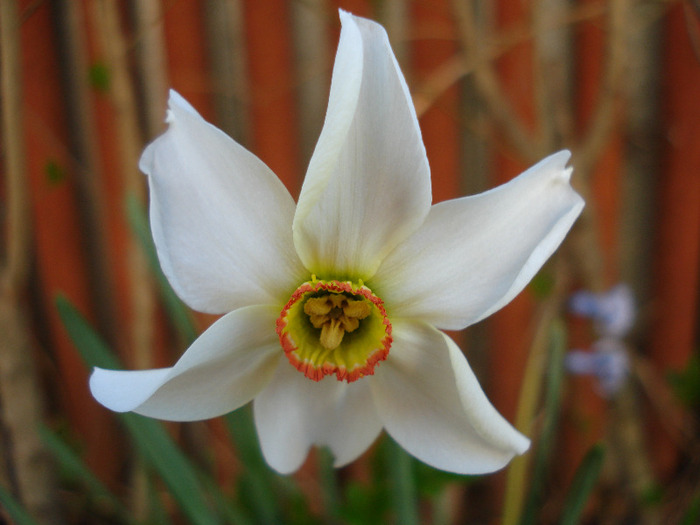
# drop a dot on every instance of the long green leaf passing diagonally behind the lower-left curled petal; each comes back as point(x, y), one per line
point(151, 440)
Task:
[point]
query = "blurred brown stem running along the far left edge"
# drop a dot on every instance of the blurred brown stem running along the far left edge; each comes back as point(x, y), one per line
point(22, 404)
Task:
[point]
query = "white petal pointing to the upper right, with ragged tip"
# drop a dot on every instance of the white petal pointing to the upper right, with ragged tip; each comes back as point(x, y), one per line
point(474, 255)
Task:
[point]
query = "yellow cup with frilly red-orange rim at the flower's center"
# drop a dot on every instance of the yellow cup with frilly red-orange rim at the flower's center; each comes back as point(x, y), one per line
point(334, 327)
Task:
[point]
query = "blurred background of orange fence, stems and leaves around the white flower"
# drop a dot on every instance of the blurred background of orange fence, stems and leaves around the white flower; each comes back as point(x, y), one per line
point(597, 360)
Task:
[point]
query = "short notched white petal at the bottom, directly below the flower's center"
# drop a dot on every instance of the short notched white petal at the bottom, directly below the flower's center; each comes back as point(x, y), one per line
point(293, 413)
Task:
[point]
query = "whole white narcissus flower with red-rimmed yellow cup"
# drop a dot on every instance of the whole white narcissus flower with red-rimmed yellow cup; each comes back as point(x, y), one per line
point(334, 305)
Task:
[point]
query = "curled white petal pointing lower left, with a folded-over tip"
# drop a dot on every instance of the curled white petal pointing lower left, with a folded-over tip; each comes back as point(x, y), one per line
point(223, 369)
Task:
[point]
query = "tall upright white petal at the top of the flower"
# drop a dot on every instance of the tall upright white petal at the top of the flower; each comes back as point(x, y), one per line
point(368, 183)
